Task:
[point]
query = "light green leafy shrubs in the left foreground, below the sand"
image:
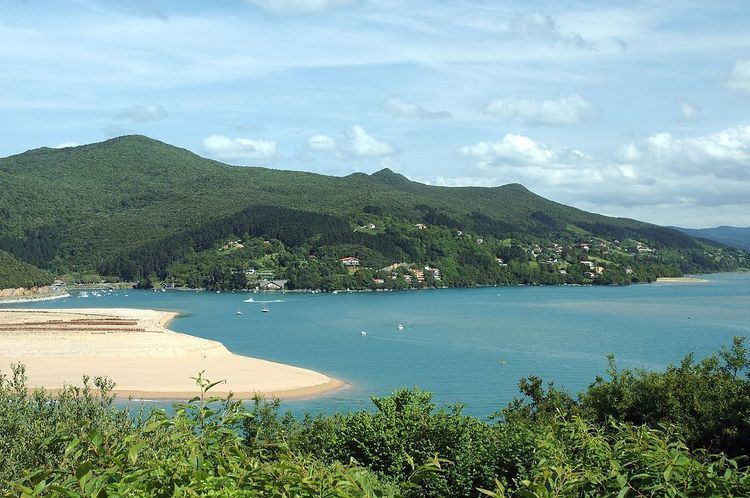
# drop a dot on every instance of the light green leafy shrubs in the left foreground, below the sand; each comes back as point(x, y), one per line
point(197, 451)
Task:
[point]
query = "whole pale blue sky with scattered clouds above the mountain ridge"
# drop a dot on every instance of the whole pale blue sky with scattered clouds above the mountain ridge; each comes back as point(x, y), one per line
point(634, 109)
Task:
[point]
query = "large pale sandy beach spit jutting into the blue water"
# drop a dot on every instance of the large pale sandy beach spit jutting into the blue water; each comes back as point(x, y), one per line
point(143, 357)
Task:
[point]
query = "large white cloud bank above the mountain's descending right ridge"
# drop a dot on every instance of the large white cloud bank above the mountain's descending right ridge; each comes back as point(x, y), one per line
point(685, 174)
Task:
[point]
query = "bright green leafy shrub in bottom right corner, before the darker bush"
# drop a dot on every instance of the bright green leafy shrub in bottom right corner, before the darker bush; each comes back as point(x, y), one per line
point(575, 458)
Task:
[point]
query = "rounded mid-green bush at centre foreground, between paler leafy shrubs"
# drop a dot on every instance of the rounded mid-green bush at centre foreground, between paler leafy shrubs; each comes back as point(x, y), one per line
point(406, 431)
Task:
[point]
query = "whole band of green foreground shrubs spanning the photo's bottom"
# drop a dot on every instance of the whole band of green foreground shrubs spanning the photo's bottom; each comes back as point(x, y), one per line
point(683, 432)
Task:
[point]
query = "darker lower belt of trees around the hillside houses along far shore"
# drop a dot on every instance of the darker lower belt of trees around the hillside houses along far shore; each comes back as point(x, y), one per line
point(313, 242)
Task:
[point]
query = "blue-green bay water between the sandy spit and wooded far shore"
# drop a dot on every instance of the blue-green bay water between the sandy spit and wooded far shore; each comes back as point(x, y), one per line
point(468, 346)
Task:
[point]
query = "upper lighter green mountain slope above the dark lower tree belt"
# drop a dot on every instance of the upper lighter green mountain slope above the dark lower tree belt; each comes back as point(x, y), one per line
point(123, 204)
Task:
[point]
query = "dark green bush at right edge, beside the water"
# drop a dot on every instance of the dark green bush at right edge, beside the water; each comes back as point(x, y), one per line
point(709, 400)
